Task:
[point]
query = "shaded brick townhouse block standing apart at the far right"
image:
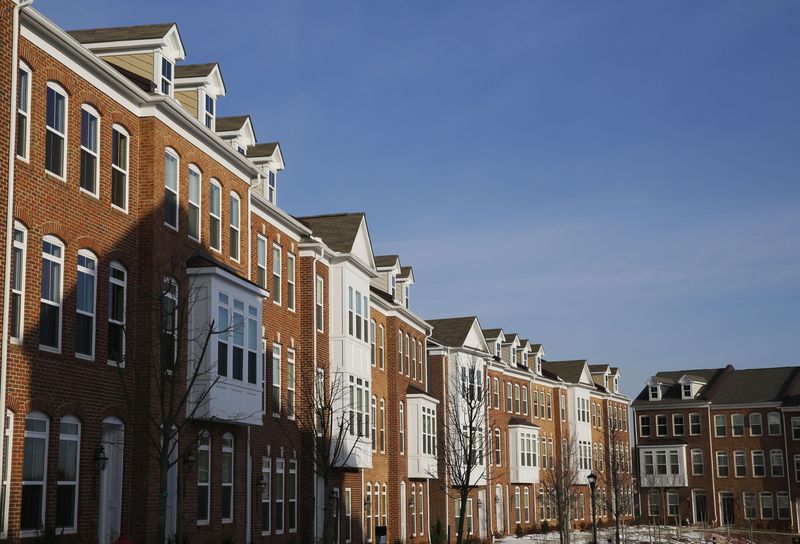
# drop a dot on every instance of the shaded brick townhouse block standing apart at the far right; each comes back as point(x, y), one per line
point(720, 447)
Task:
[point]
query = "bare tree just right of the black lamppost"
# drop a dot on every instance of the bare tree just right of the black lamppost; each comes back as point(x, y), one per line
point(617, 479)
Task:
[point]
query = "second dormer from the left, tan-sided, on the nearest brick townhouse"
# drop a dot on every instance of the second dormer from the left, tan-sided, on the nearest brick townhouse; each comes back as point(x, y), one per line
point(197, 87)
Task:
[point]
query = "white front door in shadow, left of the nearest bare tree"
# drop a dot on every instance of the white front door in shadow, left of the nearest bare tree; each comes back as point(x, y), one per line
point(108, 523)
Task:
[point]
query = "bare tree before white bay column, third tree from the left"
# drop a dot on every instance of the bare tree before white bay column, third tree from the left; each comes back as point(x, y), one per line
point(466, 423)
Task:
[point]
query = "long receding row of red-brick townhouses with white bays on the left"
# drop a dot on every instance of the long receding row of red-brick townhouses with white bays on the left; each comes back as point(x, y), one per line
point(182, 359)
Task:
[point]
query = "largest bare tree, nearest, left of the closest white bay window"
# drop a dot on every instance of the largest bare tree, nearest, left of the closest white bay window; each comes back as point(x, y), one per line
point(165, 392)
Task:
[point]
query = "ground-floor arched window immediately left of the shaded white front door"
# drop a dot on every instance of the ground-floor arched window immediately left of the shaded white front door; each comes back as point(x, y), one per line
point(68, 456)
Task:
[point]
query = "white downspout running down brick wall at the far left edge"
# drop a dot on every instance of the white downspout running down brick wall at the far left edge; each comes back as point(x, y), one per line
point(12, 132)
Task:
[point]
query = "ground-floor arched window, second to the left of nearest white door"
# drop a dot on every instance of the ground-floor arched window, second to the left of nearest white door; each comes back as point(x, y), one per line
point(34, 472)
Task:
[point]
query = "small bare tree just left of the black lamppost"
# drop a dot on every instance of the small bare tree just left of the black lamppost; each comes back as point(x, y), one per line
point(560, 484)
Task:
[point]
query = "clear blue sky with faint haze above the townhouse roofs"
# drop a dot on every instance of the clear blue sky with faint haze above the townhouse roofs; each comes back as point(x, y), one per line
point(619, 180)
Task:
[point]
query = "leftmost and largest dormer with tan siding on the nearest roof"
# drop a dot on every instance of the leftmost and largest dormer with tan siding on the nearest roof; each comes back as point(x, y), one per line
point(143, 53)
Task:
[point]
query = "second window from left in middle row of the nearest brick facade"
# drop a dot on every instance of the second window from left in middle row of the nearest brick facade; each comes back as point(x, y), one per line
point(50, 306)
